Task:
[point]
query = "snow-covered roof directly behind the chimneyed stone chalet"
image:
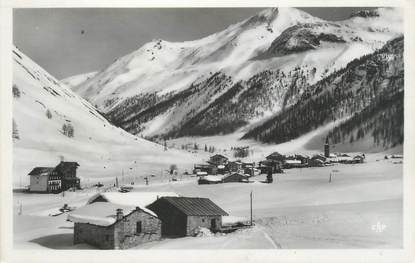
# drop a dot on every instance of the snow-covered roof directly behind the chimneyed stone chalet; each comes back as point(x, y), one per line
point(140, 199)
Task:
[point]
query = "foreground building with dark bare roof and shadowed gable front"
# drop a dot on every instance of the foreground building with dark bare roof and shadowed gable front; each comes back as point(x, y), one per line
point(183, 216)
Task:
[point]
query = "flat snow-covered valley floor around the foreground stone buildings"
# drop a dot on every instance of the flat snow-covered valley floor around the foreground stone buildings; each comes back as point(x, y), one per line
point(301, 209)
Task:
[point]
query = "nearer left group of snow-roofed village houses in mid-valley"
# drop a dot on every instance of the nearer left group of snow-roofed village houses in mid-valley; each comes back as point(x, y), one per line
point(220, 170)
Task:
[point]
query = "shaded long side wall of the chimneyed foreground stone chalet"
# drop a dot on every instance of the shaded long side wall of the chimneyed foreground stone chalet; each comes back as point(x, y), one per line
point(98, 236)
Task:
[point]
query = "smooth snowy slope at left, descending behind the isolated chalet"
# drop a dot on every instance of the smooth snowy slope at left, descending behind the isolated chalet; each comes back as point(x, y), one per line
point(50, 122)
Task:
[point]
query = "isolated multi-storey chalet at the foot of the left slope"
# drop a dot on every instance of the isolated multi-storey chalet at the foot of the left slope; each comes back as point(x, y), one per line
point(54, 179)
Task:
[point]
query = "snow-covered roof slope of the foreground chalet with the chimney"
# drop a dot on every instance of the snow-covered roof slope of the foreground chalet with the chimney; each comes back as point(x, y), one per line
point(99, 213)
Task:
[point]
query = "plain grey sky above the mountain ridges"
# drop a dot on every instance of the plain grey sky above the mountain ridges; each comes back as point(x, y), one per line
point(71, 41)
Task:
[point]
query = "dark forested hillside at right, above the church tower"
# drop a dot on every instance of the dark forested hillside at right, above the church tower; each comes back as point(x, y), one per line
point(368, 93)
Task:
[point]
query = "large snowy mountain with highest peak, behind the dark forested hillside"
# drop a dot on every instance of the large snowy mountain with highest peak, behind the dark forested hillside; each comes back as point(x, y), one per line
point(233, 78)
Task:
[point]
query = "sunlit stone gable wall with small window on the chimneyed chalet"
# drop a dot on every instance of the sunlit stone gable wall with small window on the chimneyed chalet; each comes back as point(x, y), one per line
point(126, 235)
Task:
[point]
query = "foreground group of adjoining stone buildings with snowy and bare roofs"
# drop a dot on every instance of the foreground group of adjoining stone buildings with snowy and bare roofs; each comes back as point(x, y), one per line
point(115, 220)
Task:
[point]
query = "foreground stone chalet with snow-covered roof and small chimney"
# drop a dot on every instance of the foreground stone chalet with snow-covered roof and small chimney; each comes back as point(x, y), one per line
point(109, 226)
